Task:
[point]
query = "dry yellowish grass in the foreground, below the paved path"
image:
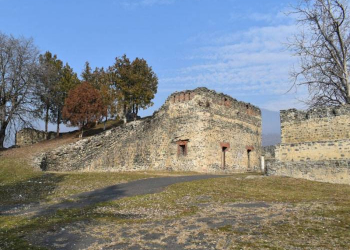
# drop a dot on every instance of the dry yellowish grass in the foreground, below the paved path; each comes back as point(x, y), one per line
point(301, 214)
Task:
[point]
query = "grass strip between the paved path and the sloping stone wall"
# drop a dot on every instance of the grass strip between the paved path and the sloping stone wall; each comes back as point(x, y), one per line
point(21, 184)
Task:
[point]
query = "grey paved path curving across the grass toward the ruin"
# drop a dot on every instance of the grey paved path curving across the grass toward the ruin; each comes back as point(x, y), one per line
point(139, 187)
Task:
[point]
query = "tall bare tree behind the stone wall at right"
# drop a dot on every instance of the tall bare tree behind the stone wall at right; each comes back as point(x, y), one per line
point(323, 48)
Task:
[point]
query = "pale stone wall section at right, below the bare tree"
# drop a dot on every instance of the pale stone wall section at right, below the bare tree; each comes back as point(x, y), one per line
point(315, 145)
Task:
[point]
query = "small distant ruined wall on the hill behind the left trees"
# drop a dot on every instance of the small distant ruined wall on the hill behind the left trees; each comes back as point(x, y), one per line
point(28, 136)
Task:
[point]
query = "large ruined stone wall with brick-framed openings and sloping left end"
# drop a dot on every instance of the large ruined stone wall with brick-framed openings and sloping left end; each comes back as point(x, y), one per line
point(198, 130)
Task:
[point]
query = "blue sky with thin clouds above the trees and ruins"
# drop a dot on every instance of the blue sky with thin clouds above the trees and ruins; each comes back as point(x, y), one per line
point(235, 47)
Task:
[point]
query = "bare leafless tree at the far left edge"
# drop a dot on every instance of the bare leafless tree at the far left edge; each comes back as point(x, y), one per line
point(18, 66)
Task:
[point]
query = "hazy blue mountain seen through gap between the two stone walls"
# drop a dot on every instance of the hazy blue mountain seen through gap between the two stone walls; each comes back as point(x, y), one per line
point(271, 127)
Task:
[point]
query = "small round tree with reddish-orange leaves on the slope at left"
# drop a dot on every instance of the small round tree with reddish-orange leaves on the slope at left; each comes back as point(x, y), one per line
point(83, 107)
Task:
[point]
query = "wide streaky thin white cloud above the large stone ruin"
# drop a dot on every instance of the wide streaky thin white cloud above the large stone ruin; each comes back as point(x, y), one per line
point(253, 62)
